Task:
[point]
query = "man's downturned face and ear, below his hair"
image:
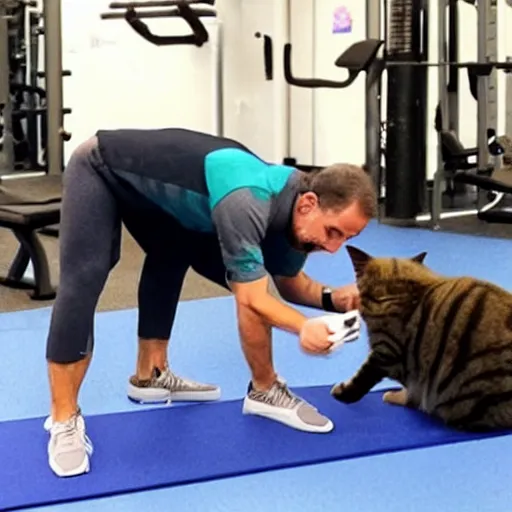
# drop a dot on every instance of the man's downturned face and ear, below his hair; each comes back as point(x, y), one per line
point(314, 229)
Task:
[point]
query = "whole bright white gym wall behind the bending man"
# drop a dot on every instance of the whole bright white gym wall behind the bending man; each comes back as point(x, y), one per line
point(120, 80)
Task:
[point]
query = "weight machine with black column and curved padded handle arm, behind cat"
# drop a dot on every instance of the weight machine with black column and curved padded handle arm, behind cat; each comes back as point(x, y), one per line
point(396, 150)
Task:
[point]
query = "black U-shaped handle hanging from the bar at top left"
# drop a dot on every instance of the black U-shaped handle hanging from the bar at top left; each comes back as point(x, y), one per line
point(198, 38)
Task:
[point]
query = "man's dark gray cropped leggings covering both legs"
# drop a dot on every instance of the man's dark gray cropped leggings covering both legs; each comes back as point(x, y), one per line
point(90, 237)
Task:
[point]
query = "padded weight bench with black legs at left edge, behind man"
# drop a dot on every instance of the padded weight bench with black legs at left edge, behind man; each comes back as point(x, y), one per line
point(26, 206)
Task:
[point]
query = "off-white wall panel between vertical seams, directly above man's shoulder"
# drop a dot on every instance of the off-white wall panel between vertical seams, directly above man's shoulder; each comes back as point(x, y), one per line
point(254, 108)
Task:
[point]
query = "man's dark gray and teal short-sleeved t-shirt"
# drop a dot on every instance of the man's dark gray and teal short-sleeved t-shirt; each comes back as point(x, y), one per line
point(212, 185)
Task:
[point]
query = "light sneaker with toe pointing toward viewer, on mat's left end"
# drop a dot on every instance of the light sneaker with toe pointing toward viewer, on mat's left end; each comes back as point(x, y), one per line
point(69, 448)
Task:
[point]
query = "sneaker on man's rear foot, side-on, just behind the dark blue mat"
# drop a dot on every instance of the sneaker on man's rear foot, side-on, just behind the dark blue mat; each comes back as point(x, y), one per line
point(165, 386)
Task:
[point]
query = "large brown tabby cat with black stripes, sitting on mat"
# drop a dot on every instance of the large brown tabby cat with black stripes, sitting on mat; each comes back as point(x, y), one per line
point(447, 341)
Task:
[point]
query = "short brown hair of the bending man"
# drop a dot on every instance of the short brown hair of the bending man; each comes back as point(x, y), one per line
point(339, 185)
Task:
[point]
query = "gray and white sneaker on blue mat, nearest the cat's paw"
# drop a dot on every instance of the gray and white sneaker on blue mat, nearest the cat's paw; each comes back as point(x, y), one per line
point(281, 405)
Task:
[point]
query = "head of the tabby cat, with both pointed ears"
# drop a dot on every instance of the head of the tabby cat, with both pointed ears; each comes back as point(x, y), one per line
point(388, 286)
